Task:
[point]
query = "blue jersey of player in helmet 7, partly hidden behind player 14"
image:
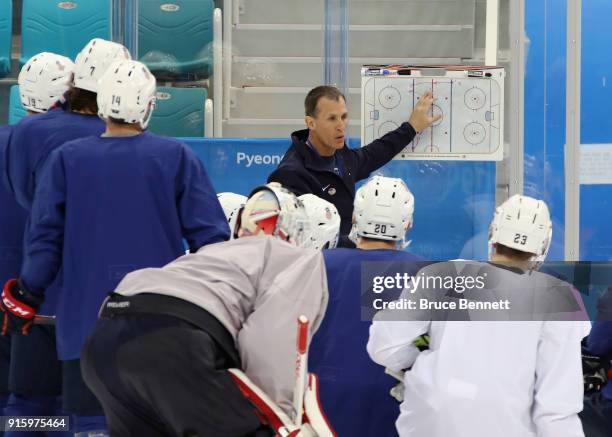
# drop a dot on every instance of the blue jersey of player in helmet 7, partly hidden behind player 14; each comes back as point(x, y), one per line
point(34, 138)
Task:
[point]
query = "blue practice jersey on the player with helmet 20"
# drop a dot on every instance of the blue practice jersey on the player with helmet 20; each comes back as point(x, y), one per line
point(354, 389)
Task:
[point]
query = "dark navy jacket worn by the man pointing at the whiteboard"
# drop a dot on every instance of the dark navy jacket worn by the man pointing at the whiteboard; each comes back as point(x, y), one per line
point(303, 171)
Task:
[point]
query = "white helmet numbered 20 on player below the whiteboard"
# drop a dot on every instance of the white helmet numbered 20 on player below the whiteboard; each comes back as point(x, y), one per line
point(383, 210)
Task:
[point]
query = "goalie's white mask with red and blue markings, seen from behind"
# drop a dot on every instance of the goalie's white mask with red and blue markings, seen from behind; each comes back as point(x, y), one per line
point(274, 210)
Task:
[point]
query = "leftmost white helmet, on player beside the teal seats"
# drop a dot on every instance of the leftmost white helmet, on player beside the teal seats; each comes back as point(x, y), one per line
point(43, 80)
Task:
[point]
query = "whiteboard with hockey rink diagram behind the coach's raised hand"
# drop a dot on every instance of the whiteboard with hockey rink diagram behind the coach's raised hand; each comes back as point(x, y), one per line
point(471, 127)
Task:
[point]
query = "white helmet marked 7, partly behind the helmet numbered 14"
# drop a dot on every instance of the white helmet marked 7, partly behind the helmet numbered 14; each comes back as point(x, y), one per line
point(93, 61)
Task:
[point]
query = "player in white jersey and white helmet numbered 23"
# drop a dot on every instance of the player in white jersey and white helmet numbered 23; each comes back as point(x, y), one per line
point(499, 377)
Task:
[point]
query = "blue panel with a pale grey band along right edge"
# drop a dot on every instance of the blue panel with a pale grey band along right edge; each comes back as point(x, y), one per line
point(595, 231)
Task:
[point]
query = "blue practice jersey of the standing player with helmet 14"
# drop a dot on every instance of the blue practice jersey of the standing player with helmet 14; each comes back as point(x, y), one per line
point(106, 206)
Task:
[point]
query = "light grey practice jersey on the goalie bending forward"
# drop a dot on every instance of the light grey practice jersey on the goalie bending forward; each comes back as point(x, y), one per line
point(256, 287)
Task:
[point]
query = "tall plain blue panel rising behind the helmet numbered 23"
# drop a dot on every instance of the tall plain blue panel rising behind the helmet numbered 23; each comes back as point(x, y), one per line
point(545, 26)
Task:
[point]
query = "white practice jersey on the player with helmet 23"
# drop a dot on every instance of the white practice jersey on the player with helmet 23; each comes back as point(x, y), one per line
point(486, 378)
